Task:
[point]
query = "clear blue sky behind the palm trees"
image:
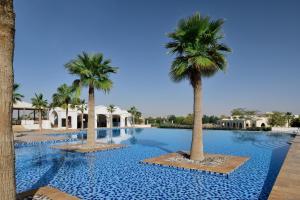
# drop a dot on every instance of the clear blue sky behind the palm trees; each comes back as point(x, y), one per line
point(263, 71)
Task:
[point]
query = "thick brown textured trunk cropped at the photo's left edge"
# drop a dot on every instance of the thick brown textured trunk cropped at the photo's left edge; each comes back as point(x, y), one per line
point(7, 158)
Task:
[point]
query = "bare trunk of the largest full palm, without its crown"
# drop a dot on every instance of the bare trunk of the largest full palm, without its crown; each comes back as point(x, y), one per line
point(197, 141)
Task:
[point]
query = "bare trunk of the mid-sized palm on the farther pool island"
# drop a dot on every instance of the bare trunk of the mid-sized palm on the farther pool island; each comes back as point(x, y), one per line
point(91, 117)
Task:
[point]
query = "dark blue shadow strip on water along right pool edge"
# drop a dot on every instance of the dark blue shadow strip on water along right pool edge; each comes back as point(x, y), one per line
point(277, 158)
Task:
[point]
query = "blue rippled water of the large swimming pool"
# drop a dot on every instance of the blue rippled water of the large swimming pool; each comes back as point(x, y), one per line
point(118, 174)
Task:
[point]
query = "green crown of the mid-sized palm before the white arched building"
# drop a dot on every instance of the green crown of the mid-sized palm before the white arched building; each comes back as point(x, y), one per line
point(93, 70)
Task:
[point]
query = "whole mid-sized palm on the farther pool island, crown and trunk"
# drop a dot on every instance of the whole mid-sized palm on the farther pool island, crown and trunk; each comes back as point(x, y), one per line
point(93, 72)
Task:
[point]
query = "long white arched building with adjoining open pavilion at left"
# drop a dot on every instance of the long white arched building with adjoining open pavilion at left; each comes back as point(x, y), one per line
point(26, 115)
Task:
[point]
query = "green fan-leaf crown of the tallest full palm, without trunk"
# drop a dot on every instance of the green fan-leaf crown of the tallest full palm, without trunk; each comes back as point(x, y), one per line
point(196, 44)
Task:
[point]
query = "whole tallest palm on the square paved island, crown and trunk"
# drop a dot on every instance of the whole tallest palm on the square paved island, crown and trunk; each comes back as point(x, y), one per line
point(199, 53)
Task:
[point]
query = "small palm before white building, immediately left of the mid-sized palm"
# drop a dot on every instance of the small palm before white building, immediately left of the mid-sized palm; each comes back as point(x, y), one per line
point(62, 98)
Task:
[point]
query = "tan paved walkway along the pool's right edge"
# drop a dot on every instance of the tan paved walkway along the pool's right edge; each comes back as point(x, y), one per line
point(287, 185)
